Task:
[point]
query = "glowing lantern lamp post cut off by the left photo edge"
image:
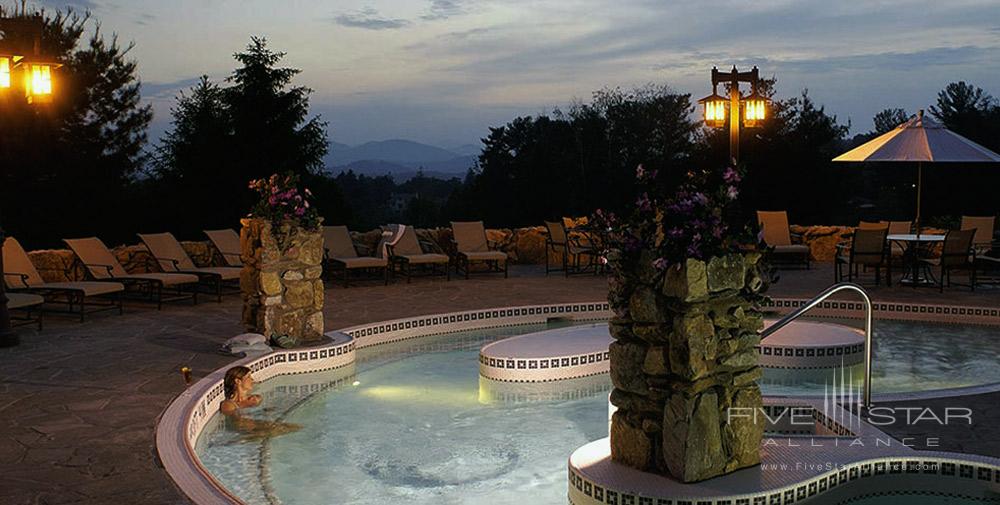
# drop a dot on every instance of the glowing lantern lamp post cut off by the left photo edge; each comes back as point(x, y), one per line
point(33, 74)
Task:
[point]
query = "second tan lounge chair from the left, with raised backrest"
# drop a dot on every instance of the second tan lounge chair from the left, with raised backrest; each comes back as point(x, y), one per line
point(104, 266)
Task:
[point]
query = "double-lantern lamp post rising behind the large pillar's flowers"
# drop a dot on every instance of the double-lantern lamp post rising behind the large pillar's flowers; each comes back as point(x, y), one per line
point(753, 106)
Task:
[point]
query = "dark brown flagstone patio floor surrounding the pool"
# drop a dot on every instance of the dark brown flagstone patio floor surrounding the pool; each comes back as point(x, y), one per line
point(79, 402)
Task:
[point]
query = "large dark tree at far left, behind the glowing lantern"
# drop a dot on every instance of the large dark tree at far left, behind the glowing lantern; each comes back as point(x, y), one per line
point(73, 161)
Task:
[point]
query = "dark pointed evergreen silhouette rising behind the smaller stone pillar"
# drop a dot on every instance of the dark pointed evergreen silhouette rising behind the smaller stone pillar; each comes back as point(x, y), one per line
point(224, 136)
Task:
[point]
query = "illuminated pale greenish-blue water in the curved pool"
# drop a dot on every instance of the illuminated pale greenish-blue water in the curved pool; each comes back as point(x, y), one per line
point(412, 421)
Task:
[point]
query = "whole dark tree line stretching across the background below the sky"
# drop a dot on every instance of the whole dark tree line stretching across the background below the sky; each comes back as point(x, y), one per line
point(82, 165)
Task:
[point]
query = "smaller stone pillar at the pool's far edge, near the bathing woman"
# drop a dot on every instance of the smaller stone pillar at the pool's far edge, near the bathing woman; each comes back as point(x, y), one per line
point(281, 281)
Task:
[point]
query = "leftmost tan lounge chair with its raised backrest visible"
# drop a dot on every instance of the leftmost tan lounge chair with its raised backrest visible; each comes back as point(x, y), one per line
point(20, 274)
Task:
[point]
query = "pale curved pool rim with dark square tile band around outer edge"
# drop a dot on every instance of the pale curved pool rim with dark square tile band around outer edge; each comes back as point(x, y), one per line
point(182, 421)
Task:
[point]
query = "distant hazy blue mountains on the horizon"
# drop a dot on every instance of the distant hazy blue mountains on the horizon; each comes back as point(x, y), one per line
point(401, 159)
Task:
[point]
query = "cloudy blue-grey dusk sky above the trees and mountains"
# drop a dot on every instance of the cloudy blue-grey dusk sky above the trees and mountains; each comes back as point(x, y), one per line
point(443, 71)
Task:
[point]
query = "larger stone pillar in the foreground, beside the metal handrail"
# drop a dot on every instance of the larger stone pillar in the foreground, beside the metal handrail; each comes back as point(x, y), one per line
point(684, 367)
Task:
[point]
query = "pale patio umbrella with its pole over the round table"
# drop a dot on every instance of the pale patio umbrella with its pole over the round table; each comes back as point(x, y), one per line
point(923, 140)
